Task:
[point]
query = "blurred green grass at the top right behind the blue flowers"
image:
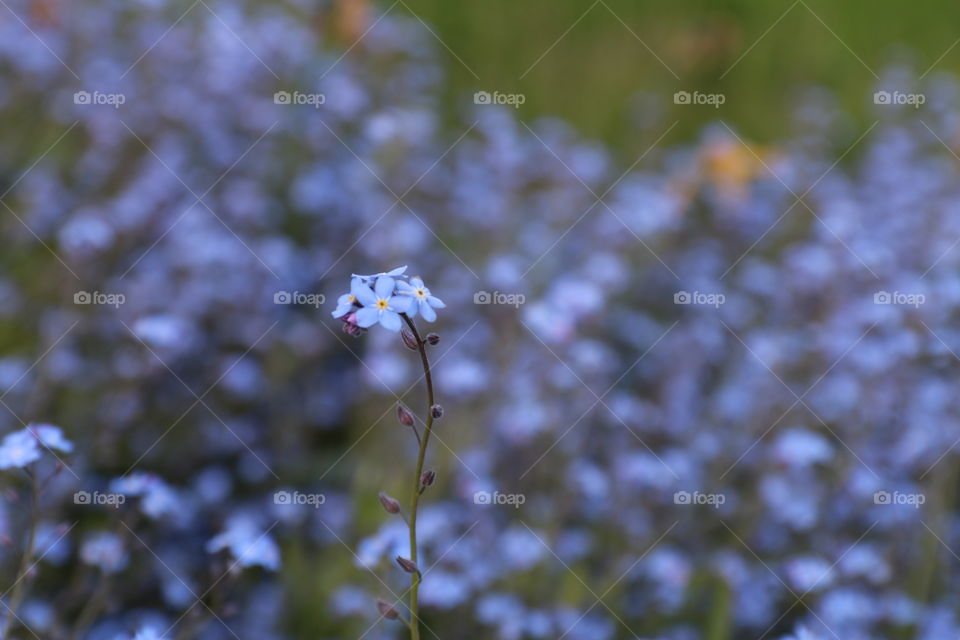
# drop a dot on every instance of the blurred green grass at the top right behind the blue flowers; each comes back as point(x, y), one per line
point(593, 76)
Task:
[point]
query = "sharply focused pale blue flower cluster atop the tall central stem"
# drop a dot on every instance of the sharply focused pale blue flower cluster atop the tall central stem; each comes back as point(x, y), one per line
point(382, 298)
